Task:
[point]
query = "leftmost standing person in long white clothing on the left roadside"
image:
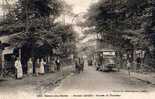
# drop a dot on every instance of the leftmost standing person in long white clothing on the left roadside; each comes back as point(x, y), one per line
point(19, 71)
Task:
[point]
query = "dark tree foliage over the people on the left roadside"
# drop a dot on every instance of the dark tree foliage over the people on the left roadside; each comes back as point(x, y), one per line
point(33, 24)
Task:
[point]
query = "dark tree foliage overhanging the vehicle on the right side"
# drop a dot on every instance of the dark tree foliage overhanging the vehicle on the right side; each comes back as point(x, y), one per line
point(122, 23)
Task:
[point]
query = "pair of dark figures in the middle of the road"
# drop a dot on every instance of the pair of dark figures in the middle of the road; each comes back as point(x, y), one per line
point(79, 65)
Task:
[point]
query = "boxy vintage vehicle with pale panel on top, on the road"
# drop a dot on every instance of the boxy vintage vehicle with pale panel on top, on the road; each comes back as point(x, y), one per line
point(105, 60)
